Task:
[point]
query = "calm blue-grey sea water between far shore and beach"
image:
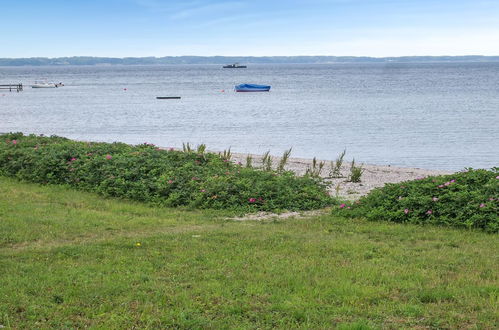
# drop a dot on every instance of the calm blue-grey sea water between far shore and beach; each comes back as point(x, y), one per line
point(437, 116)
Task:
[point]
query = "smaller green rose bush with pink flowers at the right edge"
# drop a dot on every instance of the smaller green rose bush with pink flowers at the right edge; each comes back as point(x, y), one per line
point(468, 199)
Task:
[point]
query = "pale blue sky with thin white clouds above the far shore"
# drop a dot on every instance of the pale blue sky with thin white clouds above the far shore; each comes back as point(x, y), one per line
point(139, 28)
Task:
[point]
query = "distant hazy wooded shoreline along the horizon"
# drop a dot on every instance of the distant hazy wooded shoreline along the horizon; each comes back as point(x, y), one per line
point(89, 60)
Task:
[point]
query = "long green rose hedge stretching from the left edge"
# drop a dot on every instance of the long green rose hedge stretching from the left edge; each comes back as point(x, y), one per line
point(164, 177)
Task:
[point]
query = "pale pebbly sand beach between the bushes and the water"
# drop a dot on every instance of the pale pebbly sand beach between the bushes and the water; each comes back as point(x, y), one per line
point(374, 176)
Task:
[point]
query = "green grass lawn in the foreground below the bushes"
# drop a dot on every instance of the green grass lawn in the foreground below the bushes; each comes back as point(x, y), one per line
point(72, 260)
